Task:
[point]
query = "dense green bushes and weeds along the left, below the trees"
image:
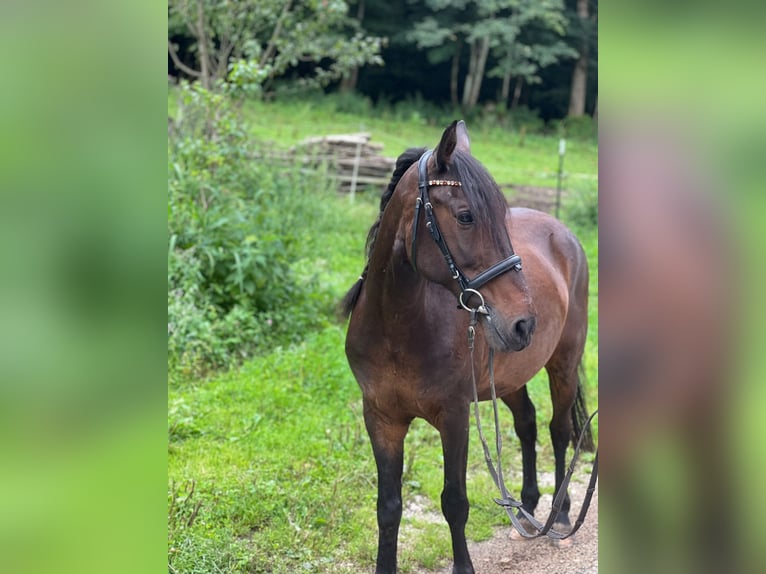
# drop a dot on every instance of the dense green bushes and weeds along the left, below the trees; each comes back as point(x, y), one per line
point(235, 227)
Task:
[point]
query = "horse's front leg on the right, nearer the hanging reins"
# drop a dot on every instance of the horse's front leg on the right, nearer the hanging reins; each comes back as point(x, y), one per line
point(454, 435)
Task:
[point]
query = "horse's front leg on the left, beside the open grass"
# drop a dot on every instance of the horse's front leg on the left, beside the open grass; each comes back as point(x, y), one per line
point(387, 438)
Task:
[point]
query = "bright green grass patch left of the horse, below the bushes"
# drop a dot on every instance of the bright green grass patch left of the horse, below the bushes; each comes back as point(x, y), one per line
point(275, 449)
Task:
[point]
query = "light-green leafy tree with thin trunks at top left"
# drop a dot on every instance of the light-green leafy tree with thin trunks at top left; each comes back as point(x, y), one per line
point(252, 42)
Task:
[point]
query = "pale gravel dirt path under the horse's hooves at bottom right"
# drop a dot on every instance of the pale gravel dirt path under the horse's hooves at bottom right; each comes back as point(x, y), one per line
point(507, 552)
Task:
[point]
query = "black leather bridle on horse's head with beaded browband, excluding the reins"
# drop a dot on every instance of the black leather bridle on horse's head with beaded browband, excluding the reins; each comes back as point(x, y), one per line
point(468, 287)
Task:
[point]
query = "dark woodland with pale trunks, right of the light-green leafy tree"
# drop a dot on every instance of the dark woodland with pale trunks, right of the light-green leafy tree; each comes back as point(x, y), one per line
point(523, 37)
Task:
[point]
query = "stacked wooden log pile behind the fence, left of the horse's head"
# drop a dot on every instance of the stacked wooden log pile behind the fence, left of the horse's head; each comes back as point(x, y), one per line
point(353, 159)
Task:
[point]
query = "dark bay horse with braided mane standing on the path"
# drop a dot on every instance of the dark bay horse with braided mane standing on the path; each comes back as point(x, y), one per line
point(444, 220)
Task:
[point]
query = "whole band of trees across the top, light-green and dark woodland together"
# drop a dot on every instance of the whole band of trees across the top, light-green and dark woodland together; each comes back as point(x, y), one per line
point(266, 48)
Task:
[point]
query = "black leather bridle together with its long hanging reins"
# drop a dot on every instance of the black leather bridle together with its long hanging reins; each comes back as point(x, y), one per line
point(471, 287)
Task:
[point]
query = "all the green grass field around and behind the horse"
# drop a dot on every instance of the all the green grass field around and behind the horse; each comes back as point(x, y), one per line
point(269, 465)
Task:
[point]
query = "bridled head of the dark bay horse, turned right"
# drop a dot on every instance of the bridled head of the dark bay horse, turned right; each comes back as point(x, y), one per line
point(459, 239)
